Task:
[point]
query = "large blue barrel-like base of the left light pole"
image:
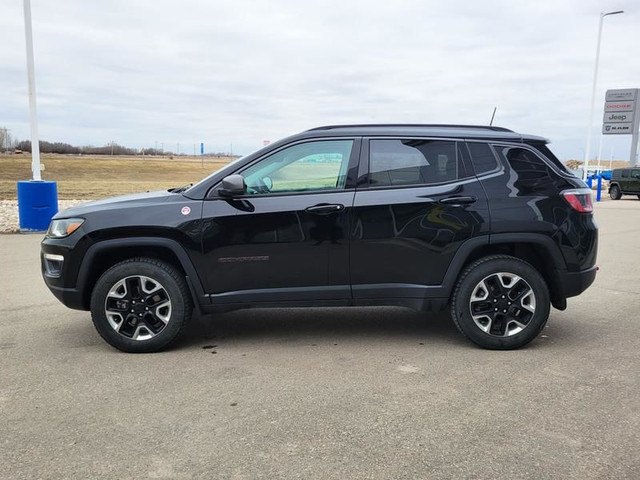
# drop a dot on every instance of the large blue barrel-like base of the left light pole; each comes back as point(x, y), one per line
point(37, 203)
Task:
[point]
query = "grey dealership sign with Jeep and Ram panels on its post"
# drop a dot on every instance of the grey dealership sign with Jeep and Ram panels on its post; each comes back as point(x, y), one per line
point(622, 117)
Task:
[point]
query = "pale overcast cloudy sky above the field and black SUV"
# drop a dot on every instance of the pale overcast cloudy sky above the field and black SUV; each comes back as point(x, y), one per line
point(240, 72)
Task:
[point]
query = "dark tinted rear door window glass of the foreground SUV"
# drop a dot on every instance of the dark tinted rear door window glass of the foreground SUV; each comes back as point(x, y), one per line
point(412, 162)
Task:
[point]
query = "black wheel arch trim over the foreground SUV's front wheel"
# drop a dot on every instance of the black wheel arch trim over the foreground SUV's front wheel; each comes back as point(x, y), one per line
point(104, 254)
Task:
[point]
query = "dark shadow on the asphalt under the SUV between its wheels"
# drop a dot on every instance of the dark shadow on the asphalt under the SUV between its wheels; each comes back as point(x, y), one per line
point(320, 325)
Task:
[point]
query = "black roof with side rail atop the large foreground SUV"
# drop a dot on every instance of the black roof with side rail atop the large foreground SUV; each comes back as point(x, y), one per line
point(428, 130)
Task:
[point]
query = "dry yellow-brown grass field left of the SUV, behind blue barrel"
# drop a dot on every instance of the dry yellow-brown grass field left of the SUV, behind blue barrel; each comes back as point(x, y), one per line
point(90, 177)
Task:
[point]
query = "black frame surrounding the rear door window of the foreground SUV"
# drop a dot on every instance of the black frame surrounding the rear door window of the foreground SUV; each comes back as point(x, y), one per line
point(365, 162)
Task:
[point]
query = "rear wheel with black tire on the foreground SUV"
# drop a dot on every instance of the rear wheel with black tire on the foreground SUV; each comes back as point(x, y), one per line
point(487, 269)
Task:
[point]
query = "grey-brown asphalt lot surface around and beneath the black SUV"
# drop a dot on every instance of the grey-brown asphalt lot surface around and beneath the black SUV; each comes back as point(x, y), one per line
point(325, 393)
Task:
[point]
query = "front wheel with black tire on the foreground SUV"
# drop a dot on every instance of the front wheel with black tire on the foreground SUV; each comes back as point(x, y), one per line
point(173, 292)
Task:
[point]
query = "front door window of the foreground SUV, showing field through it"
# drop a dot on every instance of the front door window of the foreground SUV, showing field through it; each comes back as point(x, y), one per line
point(303, 167)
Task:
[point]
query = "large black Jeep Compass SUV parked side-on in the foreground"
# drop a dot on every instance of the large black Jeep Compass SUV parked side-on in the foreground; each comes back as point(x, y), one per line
point(482, 220)
